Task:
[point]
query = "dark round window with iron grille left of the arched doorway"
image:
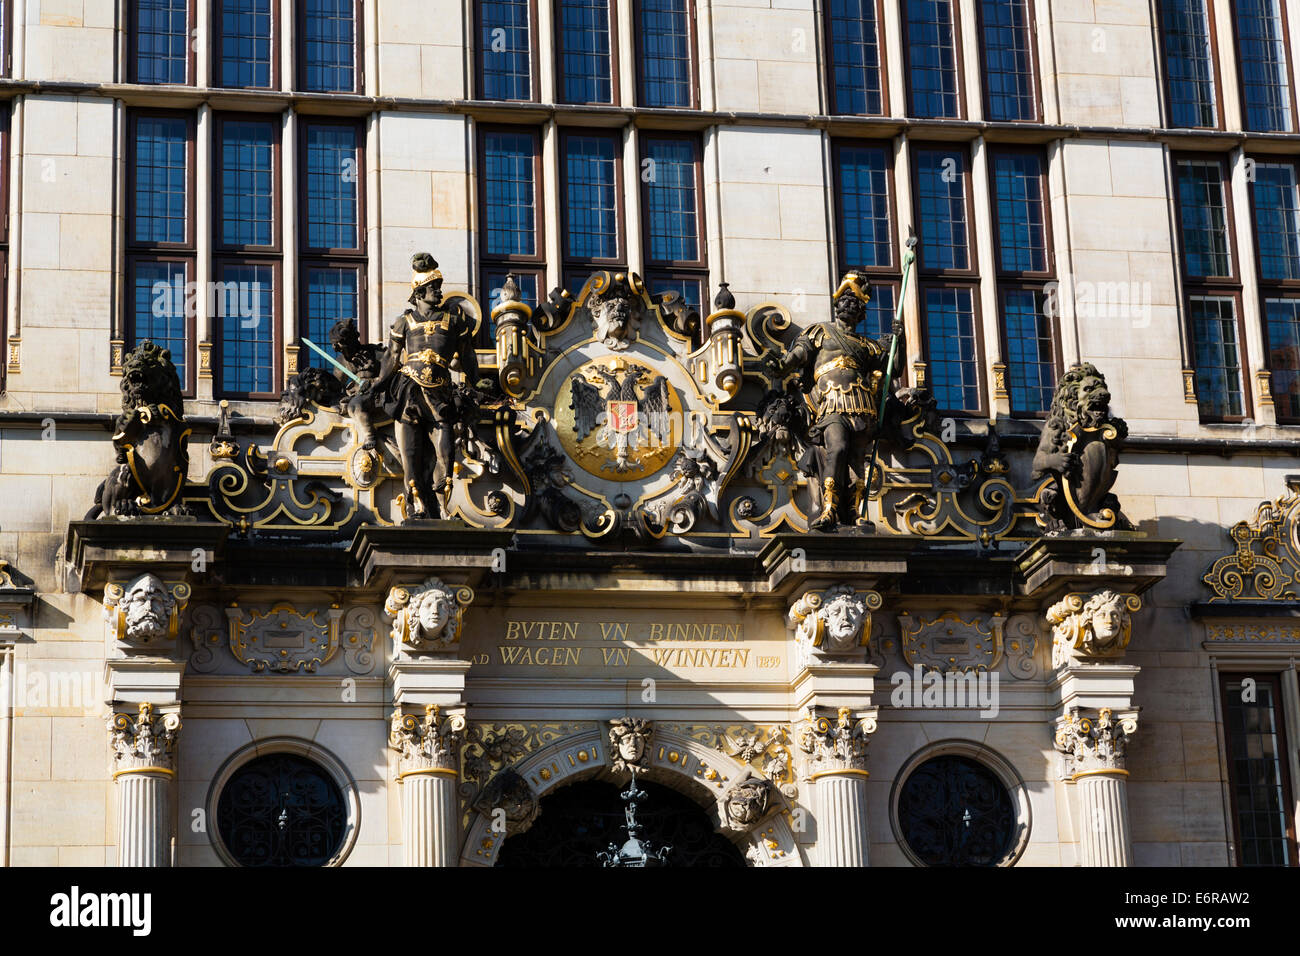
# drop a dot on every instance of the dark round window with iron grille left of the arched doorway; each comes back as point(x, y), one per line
point(281, 810)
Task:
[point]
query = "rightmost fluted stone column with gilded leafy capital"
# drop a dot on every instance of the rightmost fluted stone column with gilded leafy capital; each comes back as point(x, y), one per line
point(1094, 755)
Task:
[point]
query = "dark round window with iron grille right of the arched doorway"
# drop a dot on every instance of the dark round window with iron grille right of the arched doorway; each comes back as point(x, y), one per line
point(955, 811)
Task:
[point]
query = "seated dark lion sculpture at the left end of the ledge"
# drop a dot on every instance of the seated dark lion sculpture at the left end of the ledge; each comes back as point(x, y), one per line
point(150, 438)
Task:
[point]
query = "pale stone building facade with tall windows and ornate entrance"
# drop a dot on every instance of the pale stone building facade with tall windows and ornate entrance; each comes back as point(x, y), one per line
point(280, 646)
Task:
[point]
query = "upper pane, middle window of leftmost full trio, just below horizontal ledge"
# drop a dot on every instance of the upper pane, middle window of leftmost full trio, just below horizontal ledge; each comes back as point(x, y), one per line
point(248, 184)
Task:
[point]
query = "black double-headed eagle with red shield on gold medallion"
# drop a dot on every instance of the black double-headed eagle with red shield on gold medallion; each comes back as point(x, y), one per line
point(625, 422)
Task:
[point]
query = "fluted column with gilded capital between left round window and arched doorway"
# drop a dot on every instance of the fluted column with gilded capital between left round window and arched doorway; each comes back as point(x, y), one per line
point(428, 773)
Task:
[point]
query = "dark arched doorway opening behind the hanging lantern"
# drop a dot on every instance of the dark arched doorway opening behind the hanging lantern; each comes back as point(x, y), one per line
point(579, 821)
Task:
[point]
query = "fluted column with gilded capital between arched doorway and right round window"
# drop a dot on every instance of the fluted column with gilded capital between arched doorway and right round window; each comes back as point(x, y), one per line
point(835, 763)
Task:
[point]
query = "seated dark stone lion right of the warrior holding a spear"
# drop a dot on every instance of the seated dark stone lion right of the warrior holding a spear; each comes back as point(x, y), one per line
point(1080, 452)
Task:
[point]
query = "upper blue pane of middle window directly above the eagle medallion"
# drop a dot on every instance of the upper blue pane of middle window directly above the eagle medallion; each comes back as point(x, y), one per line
point(591, 188)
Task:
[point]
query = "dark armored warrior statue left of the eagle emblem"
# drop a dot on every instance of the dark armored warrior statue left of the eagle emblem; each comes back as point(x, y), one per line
point(418, 388)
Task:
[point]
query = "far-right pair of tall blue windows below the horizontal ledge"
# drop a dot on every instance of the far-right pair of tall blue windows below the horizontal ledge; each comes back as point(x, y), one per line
point(1212, 280)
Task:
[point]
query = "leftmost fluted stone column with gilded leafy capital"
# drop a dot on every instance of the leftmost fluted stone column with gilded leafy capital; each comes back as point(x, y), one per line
point(145, 771)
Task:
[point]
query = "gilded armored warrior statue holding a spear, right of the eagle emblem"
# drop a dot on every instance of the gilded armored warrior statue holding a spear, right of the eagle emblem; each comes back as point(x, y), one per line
point(842, 378)
